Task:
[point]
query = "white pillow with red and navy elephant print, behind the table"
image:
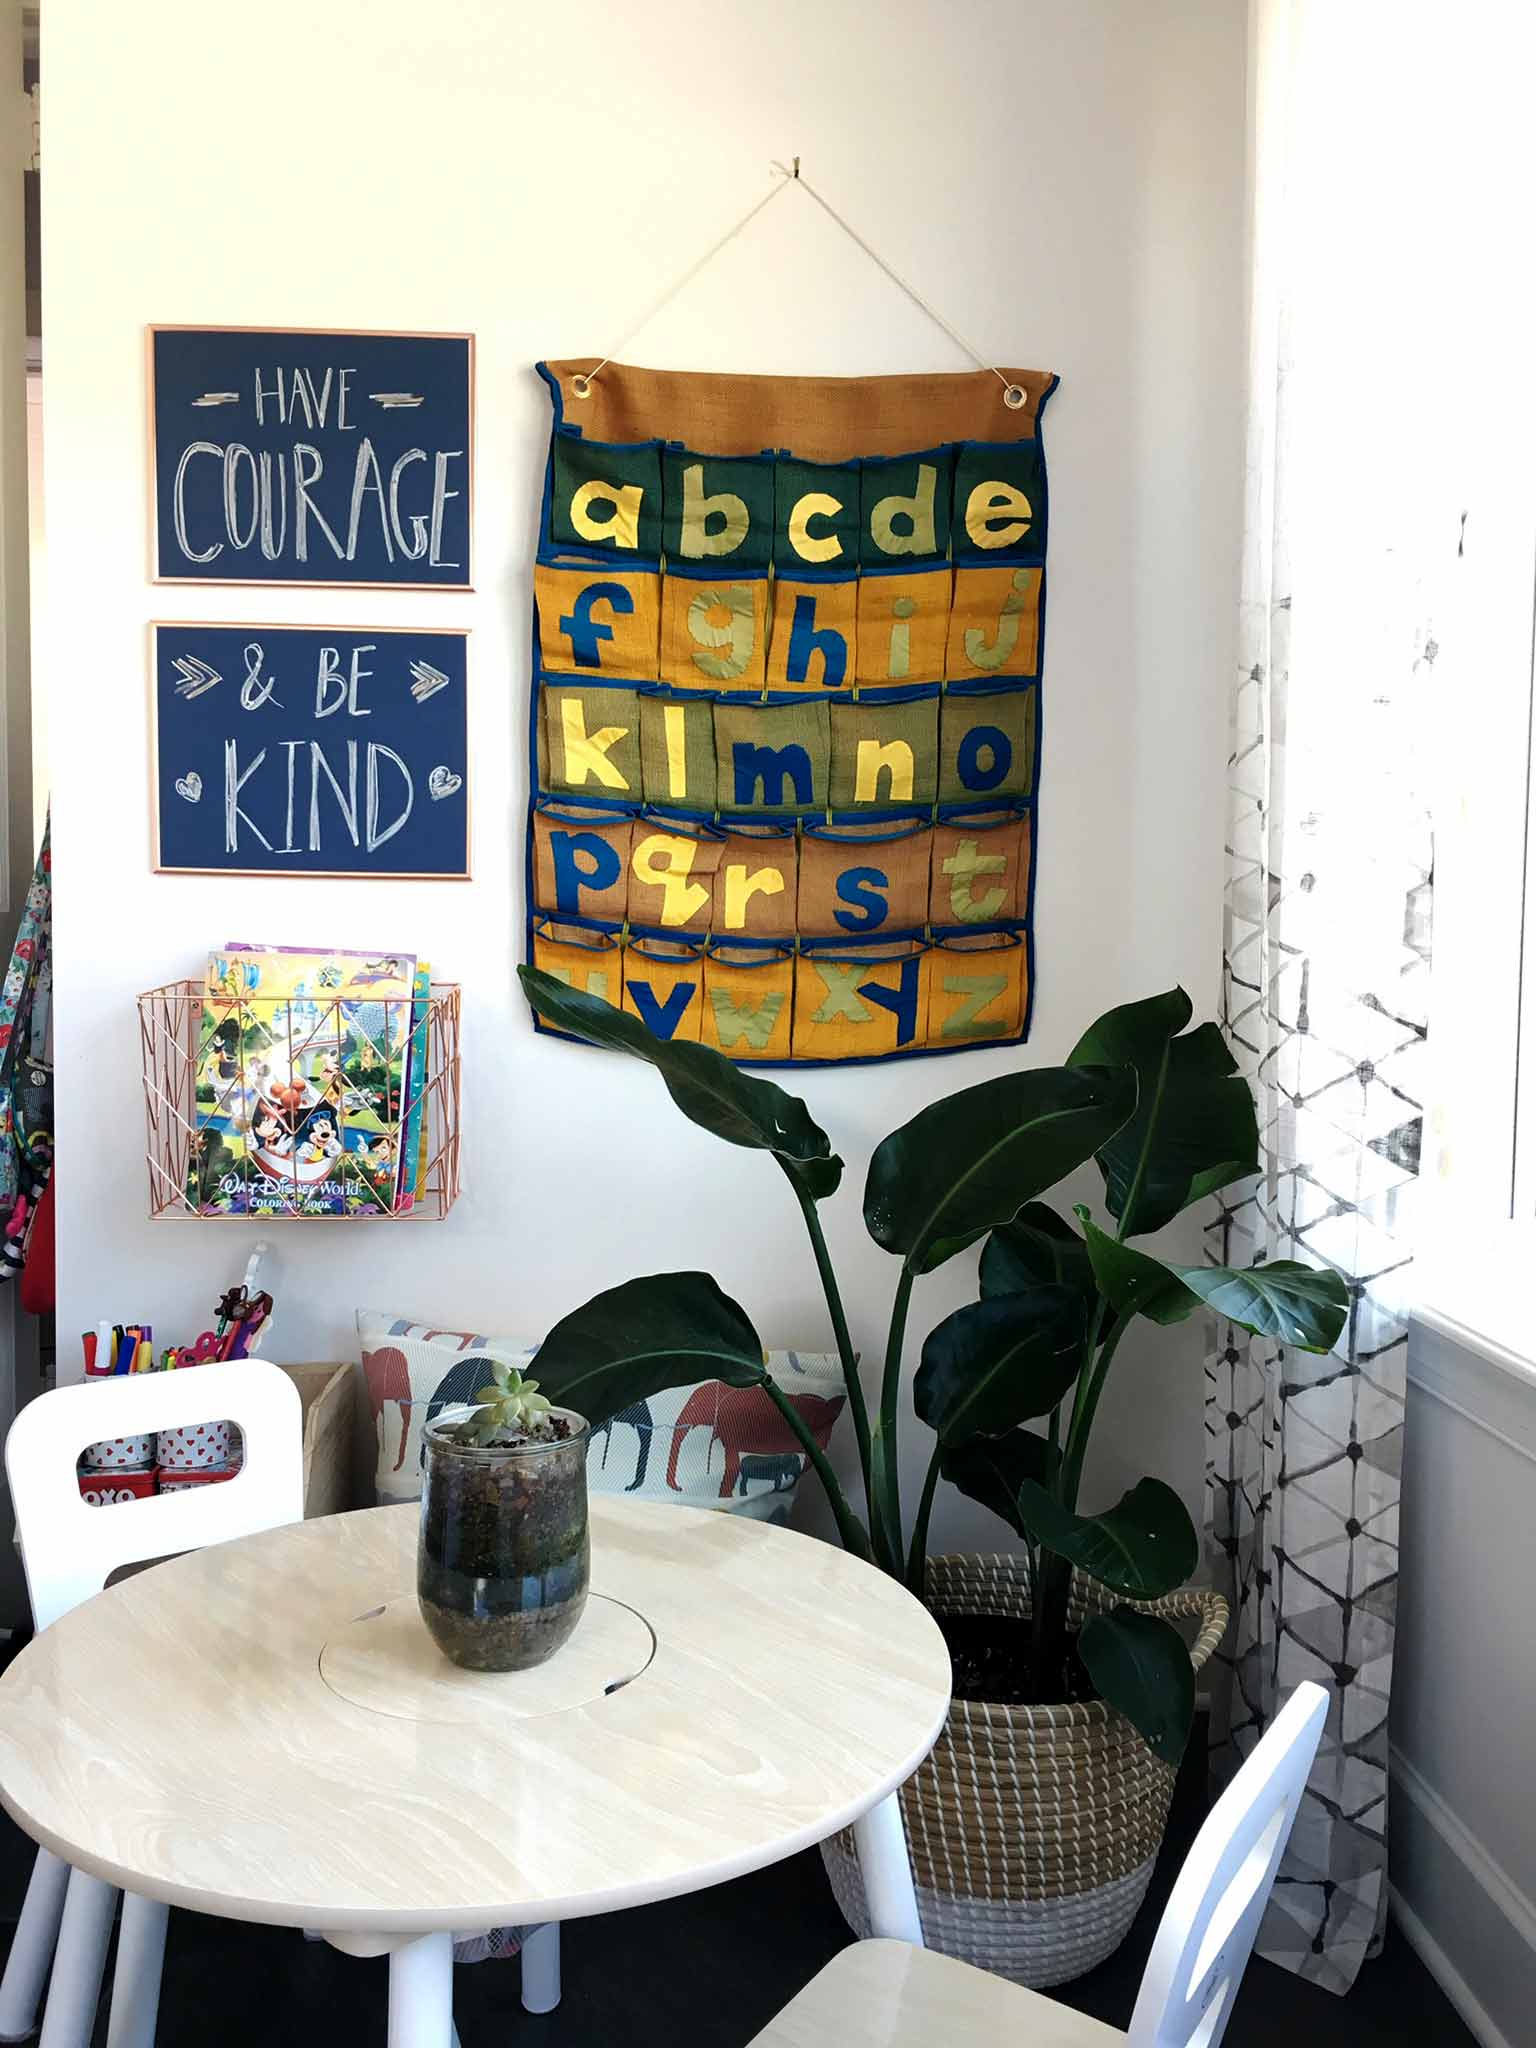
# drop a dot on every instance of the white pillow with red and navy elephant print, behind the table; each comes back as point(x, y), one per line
point(706, 1447)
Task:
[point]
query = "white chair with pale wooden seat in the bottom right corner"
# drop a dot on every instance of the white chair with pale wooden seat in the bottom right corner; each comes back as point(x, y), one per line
point(892, 1996)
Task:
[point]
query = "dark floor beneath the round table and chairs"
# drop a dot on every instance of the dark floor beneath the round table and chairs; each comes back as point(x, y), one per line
point(699, 1973)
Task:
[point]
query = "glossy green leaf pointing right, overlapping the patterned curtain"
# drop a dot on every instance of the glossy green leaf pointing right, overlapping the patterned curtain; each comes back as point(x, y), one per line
point(1302, 1306)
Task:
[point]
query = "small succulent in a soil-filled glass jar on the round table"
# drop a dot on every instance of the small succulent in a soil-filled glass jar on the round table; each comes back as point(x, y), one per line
point(503, 1555)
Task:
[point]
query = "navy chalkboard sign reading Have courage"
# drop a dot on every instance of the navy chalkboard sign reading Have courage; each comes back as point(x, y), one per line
point(312, 458)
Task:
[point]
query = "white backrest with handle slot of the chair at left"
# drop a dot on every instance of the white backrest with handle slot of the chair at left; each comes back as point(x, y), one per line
point(71, 1547)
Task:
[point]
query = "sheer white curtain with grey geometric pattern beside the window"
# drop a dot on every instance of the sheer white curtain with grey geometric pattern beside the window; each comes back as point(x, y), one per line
point(1326, 970)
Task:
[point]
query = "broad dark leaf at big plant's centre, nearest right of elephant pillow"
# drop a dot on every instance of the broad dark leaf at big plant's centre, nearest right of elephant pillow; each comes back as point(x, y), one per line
point(1000, 1363)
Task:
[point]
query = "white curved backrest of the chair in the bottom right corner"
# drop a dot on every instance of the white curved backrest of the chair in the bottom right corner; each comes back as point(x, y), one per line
point(1220, 1897)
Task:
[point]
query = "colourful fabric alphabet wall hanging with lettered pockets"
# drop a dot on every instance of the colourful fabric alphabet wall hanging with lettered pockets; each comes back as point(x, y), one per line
point(785, 716)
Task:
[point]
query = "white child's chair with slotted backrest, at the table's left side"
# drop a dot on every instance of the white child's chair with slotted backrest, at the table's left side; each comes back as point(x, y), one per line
point(71, 1551)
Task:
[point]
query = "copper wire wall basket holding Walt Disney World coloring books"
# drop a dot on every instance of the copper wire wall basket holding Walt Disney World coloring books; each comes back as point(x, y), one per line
point(333, 1160)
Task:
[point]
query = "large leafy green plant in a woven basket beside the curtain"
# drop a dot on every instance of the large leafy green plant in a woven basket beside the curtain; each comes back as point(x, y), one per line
point(1035, 1824)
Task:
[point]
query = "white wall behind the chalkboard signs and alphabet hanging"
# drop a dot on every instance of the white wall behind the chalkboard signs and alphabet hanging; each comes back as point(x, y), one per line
point(1064, 183)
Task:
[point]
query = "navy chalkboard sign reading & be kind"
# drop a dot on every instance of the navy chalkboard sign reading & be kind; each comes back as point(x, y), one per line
point(310, 751)
